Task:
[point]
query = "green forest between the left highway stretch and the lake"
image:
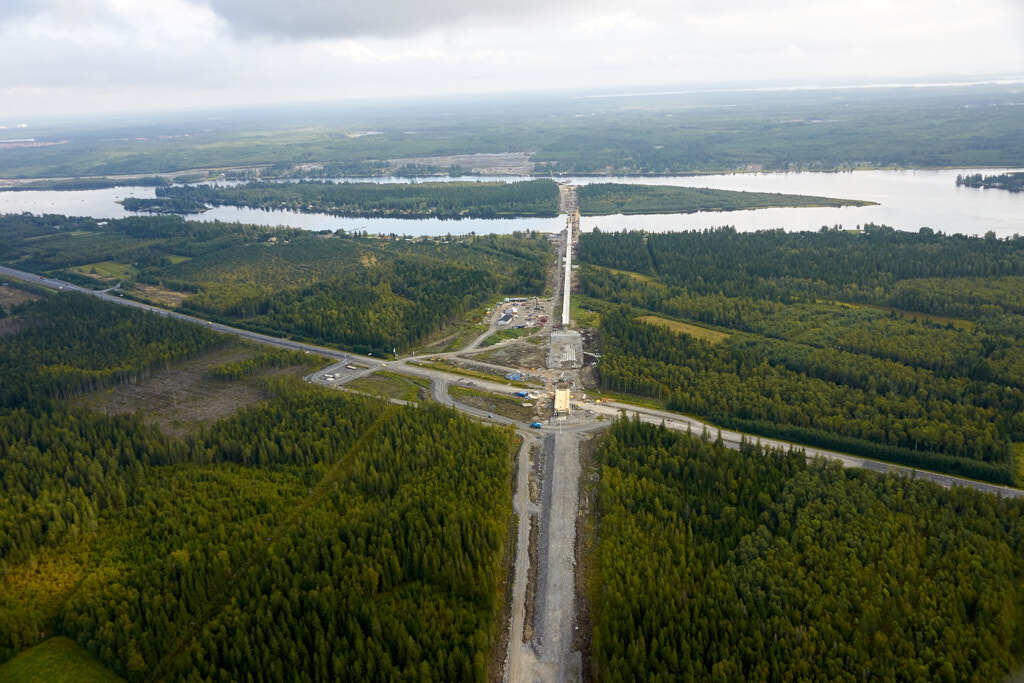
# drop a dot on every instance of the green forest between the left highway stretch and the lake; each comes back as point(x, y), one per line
point(363, 293)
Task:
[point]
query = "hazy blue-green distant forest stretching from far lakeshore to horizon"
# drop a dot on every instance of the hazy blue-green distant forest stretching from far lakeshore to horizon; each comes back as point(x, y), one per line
point(663, 134)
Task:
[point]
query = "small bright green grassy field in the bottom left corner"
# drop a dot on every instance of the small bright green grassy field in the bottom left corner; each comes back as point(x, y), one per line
point(56, 661)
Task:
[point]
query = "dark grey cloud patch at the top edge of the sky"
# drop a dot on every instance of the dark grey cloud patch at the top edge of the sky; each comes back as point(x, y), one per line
point(349, 19)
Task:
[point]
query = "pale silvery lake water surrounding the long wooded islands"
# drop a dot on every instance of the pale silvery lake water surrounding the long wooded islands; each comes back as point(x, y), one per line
point(908, 200)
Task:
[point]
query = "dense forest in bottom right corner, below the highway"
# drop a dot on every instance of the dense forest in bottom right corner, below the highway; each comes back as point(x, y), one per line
point(718, 566)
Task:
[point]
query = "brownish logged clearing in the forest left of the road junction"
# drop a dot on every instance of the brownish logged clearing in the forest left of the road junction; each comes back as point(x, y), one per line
point(183, 398)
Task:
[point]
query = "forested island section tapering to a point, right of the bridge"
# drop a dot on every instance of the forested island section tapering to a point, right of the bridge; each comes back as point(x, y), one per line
point(601, 199)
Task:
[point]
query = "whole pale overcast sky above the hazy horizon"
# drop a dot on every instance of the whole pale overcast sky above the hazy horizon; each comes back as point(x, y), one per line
point(65, 57)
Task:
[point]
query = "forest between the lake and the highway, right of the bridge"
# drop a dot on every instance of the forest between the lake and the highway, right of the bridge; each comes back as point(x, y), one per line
point(838, 339)
